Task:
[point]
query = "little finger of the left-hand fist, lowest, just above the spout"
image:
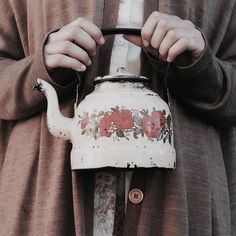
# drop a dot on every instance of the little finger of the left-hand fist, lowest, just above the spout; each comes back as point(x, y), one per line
point(63, 61)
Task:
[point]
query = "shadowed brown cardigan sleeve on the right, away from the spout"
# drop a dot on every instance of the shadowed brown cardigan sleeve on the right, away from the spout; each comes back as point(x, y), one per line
point(208, 87)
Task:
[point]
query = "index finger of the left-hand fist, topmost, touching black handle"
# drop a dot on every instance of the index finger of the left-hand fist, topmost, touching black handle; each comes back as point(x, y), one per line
point(91, 29)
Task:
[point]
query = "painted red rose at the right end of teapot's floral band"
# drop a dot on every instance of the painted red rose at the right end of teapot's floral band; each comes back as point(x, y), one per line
point(154, 124)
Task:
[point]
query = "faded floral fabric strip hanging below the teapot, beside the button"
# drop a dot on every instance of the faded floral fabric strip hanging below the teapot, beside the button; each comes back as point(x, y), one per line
point(110, 197)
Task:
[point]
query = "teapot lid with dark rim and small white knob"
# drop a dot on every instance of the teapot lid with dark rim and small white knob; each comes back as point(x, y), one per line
point(121, 75)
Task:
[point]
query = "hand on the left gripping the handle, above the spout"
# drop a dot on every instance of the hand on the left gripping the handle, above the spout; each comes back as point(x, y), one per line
point(73, 45)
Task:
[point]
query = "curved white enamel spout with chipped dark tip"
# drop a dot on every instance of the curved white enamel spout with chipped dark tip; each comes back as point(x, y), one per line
point(58, 125)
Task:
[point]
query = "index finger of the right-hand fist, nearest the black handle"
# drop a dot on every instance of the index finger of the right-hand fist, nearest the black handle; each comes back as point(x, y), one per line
point(149, 27)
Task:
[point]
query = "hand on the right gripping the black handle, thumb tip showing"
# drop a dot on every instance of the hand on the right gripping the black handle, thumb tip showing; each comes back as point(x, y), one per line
point(168, 36)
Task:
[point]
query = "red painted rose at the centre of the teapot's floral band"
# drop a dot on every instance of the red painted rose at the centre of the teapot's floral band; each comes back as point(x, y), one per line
point(122, 119)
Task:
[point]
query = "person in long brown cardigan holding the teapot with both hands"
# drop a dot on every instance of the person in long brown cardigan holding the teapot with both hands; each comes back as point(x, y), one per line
point(39, 194)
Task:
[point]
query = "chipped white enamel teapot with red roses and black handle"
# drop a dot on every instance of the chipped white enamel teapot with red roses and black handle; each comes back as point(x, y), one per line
point(122, 123)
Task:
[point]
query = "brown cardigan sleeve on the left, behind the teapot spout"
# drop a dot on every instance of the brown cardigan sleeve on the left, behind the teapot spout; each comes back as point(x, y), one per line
point(20, 69)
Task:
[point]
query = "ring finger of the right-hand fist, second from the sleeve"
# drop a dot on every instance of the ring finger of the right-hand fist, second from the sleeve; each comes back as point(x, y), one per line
point(169, 40)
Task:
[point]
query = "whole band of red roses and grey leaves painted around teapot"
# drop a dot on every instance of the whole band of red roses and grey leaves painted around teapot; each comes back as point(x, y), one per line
point(125, 123)
